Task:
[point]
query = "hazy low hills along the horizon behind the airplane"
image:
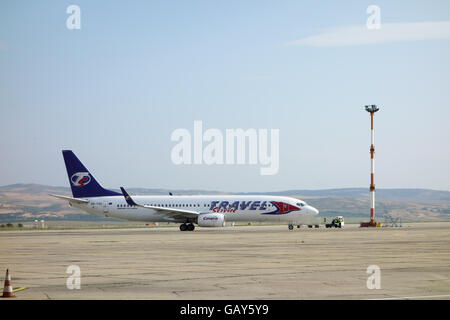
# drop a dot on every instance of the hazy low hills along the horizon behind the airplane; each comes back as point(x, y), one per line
point(26, 202)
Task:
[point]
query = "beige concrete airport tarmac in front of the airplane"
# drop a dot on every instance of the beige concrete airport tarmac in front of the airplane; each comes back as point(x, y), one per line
point(246, 262)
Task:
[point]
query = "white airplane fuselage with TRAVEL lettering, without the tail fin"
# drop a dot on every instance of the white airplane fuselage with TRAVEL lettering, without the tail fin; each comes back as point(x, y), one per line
point(234, 208)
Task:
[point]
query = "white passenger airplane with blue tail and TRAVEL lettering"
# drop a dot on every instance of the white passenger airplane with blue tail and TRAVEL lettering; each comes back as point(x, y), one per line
point(203, 210)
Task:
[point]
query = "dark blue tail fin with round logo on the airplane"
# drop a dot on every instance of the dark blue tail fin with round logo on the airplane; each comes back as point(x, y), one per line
point(83, 183)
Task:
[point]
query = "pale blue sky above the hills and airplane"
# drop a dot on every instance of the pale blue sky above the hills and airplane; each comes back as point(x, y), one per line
point(114, 91)
